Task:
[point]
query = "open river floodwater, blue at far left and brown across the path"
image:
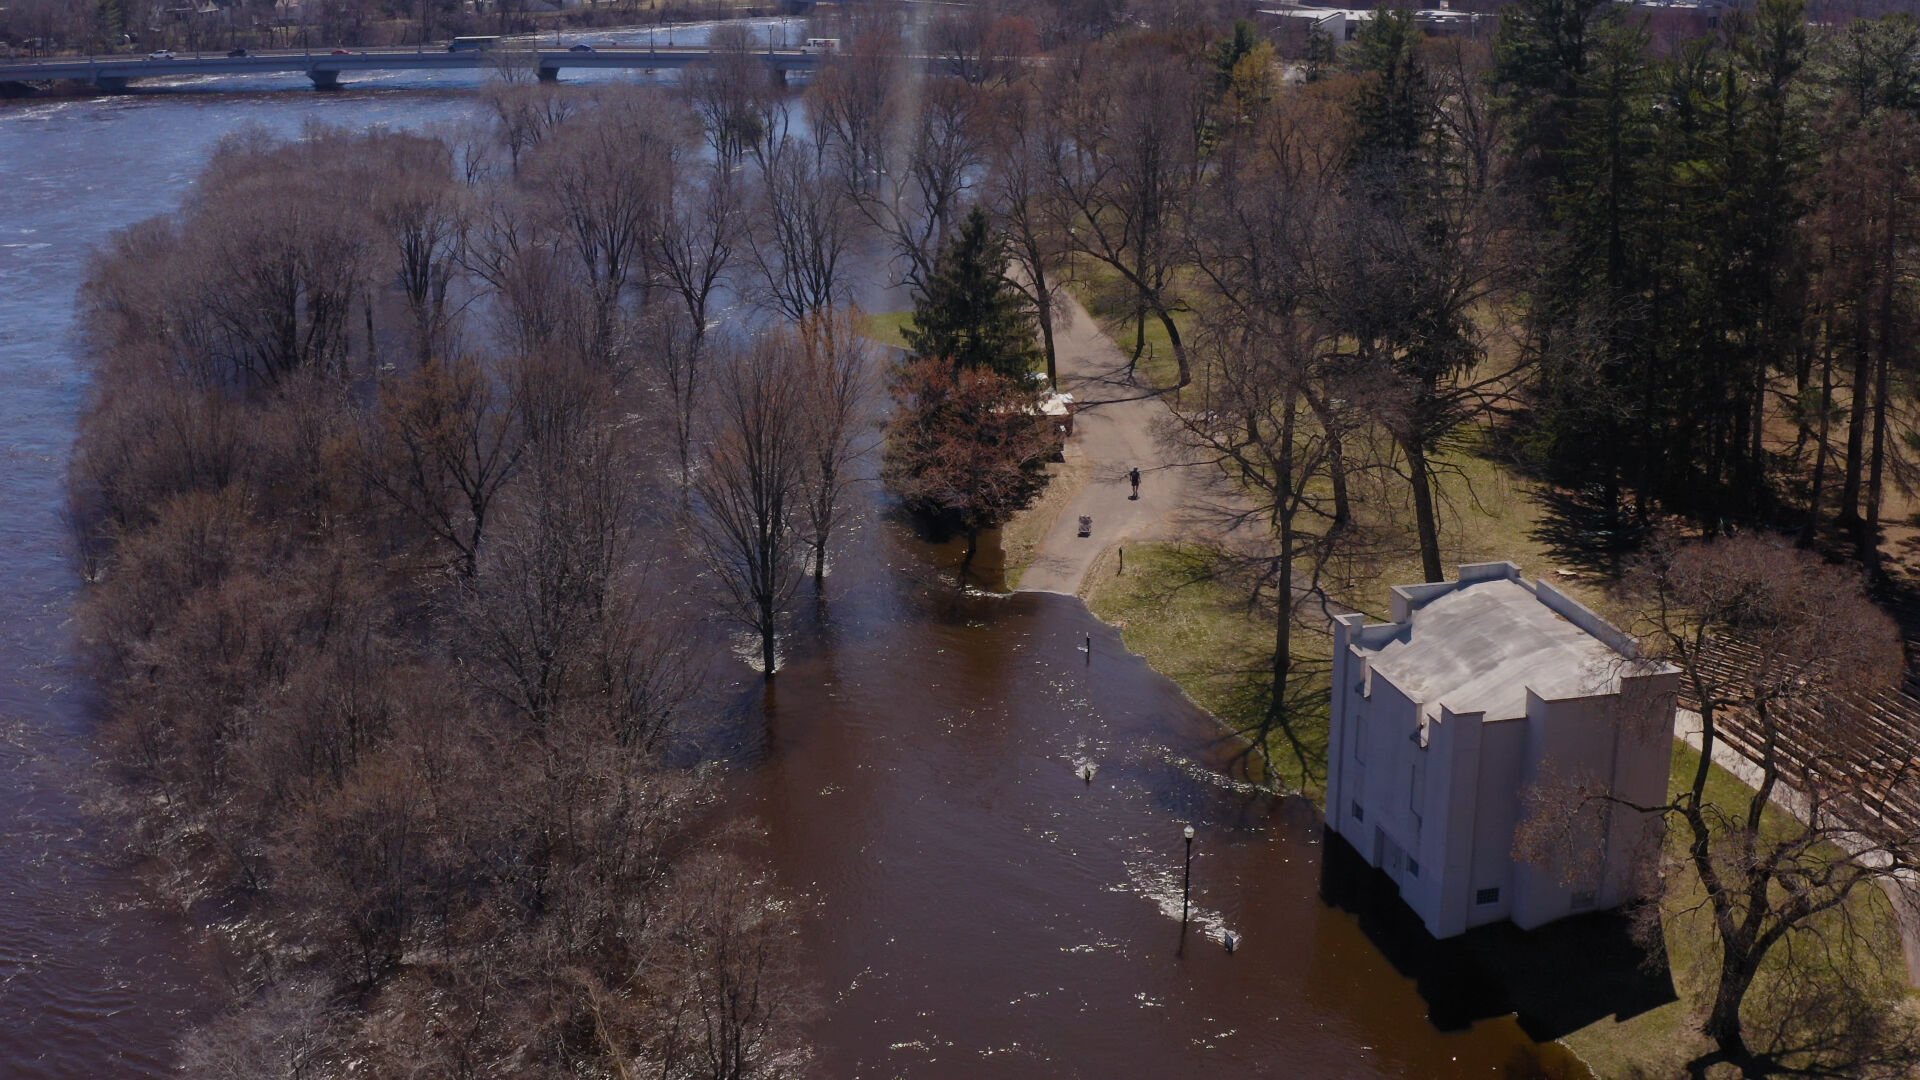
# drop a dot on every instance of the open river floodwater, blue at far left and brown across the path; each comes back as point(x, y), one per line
point(976, 906)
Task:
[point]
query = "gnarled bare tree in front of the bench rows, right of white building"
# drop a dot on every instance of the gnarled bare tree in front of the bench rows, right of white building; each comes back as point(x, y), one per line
point(1783, 658)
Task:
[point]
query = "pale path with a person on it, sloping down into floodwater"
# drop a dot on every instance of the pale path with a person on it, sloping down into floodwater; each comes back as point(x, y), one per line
point(1113, 433)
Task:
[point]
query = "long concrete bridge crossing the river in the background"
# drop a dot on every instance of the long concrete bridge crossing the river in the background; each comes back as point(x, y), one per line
point(112, 74)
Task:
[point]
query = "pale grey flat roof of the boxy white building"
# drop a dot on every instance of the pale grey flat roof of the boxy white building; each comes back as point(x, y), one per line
point(1483, 647)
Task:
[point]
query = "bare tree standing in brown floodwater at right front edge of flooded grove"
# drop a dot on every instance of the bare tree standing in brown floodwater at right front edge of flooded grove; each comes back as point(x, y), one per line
point(750, 493)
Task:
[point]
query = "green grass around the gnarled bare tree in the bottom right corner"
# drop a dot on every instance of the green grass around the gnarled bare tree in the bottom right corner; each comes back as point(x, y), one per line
point(1660, 1043)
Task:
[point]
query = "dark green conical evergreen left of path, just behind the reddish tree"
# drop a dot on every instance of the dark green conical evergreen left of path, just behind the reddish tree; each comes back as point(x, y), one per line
point(969, 312)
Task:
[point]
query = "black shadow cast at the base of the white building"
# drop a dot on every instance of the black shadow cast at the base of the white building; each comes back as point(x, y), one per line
point(1556, 979)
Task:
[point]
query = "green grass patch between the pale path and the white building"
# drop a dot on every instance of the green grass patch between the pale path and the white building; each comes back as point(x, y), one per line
point(1178, 608)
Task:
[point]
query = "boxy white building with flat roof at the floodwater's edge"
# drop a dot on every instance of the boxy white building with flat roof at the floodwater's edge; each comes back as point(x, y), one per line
point(1447, 718)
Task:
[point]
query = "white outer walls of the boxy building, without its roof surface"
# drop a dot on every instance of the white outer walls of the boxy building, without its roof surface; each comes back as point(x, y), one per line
point(1441, 800)
